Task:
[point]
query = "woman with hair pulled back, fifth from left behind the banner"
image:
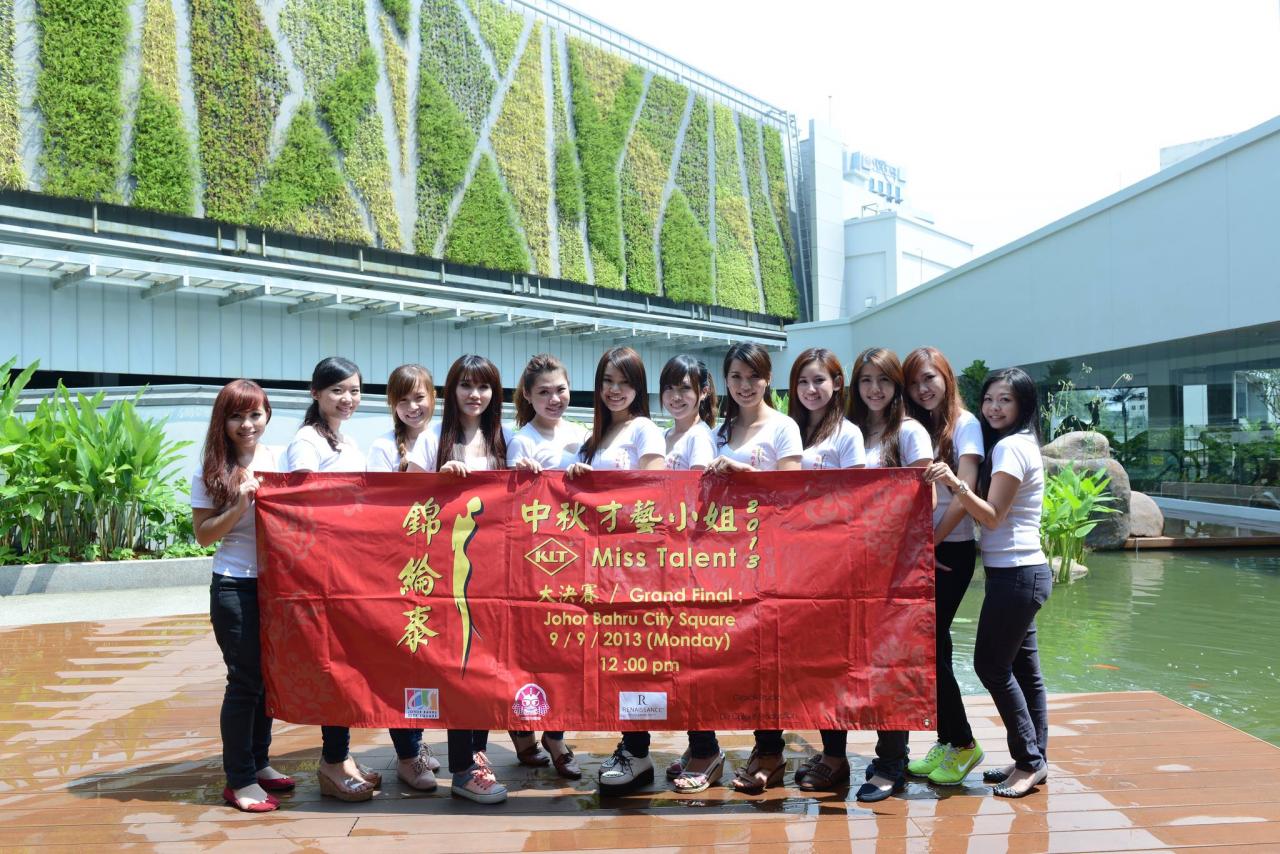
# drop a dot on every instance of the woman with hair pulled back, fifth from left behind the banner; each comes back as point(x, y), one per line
point(546, 440)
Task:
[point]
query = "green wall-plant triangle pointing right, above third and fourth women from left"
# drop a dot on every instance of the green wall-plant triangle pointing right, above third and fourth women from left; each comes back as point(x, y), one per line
point(445, 145)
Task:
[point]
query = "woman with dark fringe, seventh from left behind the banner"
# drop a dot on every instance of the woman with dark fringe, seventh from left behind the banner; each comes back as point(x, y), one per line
point(689, 395)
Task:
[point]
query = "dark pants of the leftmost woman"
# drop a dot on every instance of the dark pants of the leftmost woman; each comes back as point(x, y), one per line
point(245, 727)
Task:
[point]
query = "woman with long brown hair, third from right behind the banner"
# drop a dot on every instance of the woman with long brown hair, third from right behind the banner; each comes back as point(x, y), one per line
point(877, 407)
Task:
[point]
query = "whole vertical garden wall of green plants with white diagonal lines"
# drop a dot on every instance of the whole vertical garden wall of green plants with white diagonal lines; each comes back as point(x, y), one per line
point(516, 141)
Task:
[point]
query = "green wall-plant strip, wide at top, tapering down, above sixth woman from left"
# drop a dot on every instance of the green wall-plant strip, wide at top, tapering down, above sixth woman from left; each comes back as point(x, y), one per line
point(606, 94)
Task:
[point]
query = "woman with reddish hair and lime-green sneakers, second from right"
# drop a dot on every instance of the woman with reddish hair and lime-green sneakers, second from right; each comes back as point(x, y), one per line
point(934, 399)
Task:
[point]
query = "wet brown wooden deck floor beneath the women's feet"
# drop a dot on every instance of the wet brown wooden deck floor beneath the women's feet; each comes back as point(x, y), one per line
point(109, 737)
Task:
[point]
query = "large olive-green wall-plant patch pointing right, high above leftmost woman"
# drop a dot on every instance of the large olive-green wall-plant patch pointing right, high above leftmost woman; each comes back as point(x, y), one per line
point(239, 90)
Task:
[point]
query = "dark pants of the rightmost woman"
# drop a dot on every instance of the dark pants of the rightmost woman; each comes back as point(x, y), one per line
point(1007, 659)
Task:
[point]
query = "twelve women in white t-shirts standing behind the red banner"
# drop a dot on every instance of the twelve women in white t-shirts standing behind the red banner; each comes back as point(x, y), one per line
point(986, 469)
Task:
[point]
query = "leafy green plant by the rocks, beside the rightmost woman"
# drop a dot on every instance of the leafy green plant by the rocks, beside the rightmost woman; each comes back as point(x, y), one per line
point(1075, 505)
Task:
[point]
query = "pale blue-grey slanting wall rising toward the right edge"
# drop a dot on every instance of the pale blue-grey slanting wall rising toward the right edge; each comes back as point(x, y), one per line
point(1190, 252)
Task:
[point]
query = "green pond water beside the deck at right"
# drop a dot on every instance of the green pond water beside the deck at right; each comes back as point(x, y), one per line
point(1200, 627)
